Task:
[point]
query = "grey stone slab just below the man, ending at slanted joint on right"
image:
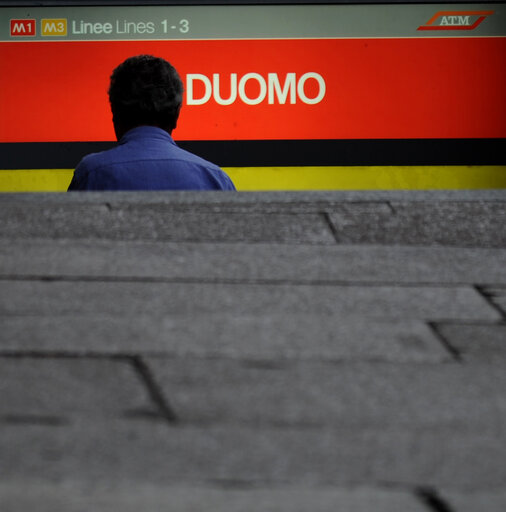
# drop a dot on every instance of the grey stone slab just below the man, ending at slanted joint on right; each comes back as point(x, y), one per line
point(97, 221)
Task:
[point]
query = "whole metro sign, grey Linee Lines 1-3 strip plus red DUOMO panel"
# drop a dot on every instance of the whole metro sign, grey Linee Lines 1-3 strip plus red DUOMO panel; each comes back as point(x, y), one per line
point(255, 72)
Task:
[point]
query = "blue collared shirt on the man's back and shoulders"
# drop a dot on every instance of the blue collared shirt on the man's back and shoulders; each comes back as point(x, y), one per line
point(147, 158)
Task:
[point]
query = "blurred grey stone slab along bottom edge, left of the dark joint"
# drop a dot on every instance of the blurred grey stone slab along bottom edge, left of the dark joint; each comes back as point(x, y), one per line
point(75, 497)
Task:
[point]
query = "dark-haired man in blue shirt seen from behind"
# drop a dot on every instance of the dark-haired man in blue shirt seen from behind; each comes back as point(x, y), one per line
point(146, 95)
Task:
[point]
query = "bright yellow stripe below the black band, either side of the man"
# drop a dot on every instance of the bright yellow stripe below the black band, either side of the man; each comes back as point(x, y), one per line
point(302, 178)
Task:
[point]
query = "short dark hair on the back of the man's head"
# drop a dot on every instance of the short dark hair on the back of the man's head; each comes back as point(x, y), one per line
point(145, 90)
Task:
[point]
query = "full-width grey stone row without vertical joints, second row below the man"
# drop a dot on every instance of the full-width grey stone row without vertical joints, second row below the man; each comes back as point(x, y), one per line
point(241, 261)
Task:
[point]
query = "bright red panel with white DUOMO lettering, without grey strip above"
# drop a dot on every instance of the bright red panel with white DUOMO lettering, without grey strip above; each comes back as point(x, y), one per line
point(267, 89)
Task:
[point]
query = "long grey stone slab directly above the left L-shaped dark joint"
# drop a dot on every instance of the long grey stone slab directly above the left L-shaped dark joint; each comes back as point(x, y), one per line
point(256, 337)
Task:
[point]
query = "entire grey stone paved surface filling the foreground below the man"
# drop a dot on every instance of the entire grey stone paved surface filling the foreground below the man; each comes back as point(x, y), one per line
point(253, 351)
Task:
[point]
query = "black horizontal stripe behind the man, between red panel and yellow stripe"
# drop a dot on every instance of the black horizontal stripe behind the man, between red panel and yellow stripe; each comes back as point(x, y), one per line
point(253, 153)
